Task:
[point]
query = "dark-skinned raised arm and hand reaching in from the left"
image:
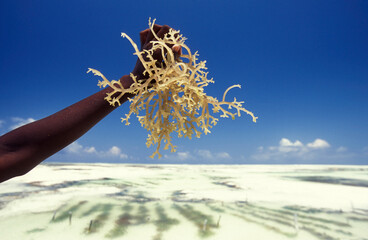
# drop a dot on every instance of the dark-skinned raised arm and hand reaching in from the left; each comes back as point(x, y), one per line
point(24, 148)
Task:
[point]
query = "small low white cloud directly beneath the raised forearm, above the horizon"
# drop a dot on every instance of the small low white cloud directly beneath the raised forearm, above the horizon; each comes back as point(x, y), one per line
point(114, 151)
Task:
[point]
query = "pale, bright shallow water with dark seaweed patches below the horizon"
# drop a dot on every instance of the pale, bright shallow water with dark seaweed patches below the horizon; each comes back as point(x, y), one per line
point(106, 201)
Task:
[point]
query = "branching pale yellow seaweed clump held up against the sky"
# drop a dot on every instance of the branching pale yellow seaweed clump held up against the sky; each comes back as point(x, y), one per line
point(172, 98)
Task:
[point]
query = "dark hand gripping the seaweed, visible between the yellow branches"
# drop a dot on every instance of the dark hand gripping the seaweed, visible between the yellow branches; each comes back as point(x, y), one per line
point(146, 37)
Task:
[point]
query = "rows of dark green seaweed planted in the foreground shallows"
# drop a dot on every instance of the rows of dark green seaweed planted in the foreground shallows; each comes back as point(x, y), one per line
point(115, 219)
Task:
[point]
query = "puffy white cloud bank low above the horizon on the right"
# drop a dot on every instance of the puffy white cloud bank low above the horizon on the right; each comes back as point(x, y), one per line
point(288, 149)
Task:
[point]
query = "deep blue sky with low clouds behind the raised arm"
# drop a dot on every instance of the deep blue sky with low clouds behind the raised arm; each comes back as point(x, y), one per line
point(303, 67)
